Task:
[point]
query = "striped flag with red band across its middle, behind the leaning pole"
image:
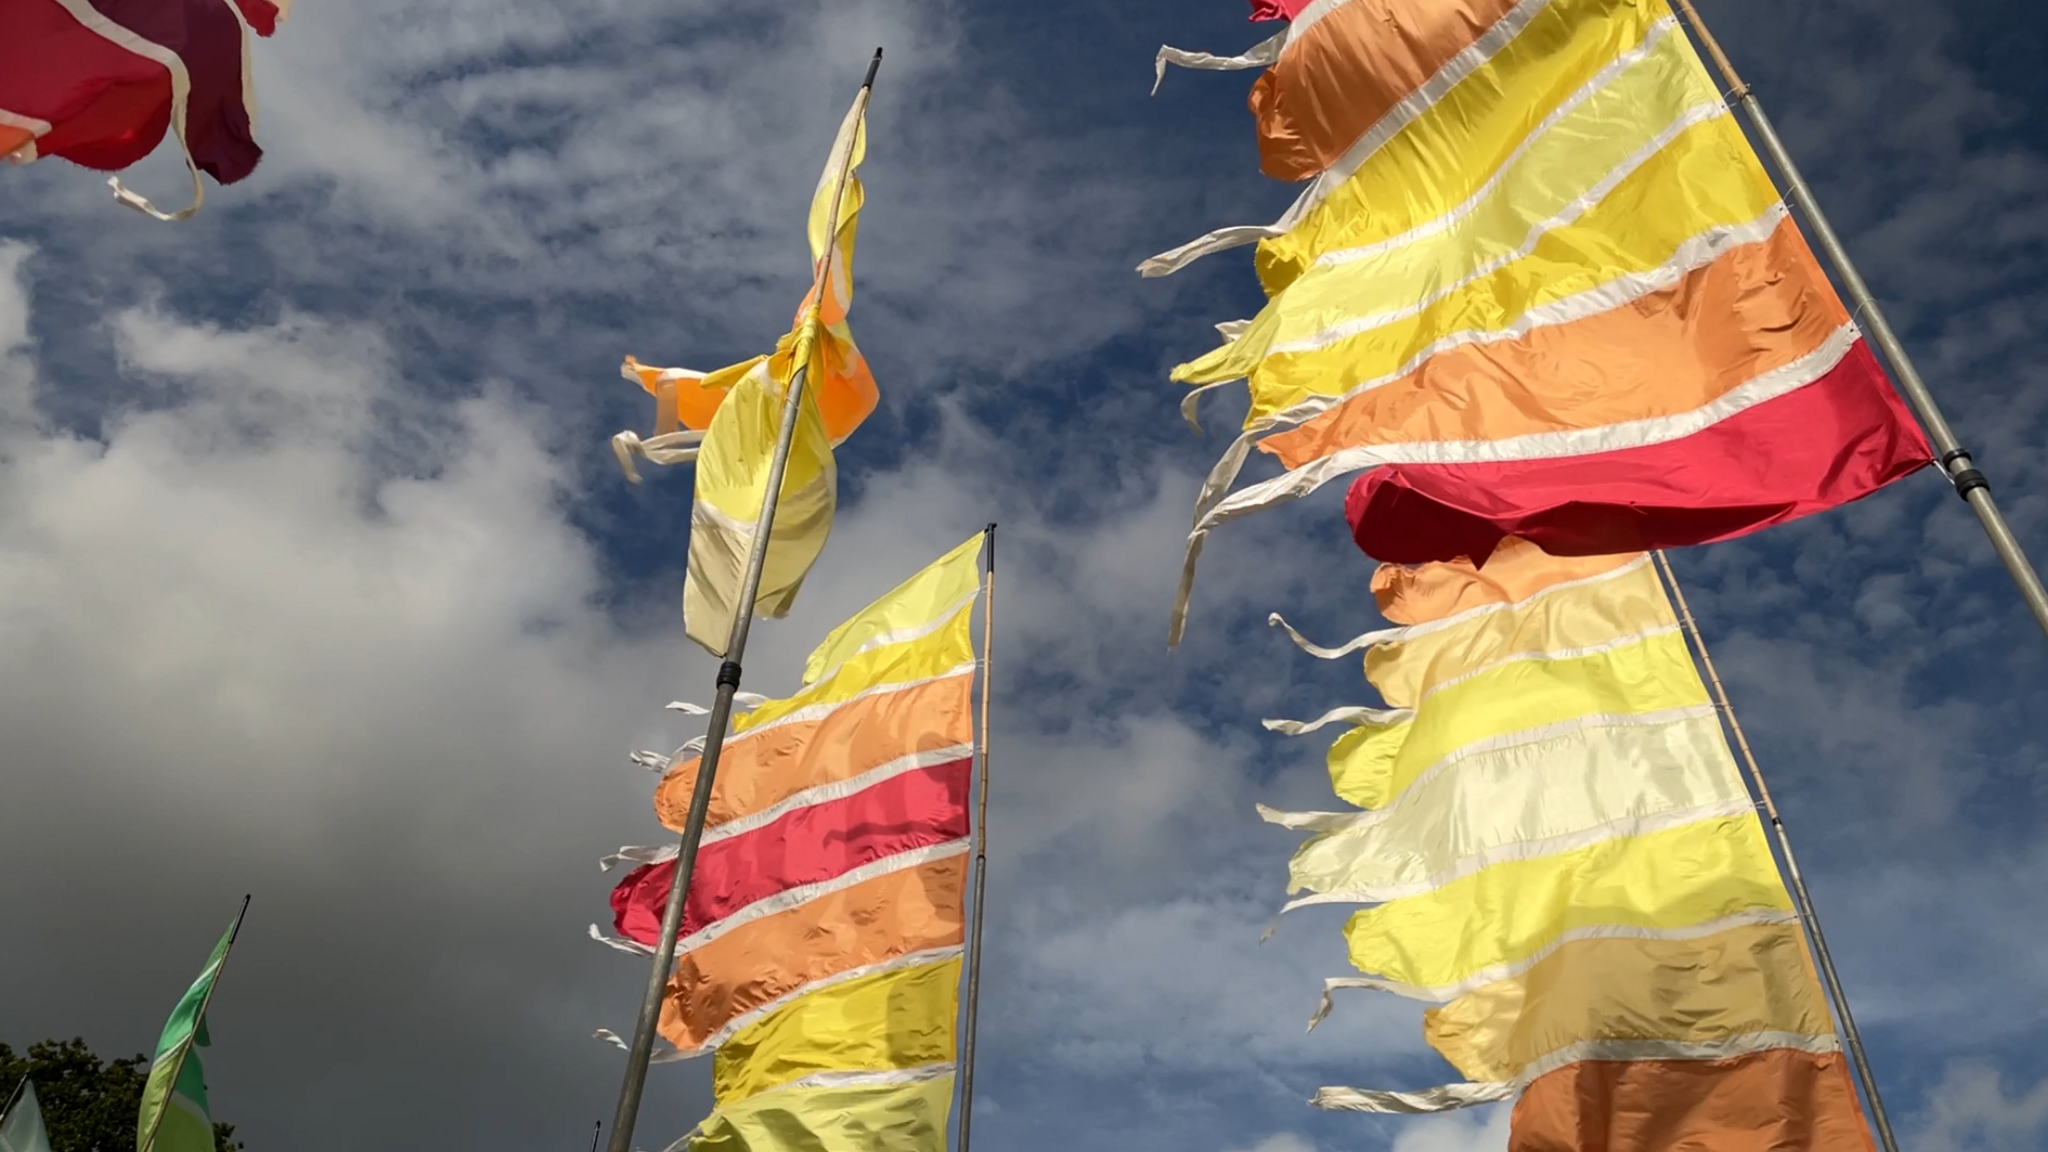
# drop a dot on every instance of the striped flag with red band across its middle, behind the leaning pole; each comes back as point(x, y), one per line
point(822, 938)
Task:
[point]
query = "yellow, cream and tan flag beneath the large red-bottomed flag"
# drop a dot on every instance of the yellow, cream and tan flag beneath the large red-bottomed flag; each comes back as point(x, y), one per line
point(1558, 854)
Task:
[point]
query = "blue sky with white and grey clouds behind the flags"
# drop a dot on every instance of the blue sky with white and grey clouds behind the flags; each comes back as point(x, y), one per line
point(318, 579)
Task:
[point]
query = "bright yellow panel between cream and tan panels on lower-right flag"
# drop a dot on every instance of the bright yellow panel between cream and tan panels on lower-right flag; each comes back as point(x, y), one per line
point(1508, 913)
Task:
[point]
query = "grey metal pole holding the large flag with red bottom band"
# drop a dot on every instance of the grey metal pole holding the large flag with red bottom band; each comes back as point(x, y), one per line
point(1957, 464)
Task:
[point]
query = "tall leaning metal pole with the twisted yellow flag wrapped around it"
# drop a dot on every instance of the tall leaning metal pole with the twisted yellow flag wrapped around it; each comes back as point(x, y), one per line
point(722, 708)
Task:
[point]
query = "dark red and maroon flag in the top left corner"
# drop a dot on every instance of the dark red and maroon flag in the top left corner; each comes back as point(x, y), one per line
point(99, 81)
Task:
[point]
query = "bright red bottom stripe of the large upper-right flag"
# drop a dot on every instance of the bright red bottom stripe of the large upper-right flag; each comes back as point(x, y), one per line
point(1836, 440)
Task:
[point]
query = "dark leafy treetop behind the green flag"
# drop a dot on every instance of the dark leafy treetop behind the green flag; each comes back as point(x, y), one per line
point(87, 1106)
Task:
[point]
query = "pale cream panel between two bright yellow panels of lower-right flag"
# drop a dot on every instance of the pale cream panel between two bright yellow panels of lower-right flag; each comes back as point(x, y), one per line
point(1523, 800)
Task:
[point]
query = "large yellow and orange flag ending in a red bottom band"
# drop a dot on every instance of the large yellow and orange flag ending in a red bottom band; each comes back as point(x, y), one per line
point(1537, 286)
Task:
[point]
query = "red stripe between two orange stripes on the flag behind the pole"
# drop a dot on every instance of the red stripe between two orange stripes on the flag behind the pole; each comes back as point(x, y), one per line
point(808, 846)
